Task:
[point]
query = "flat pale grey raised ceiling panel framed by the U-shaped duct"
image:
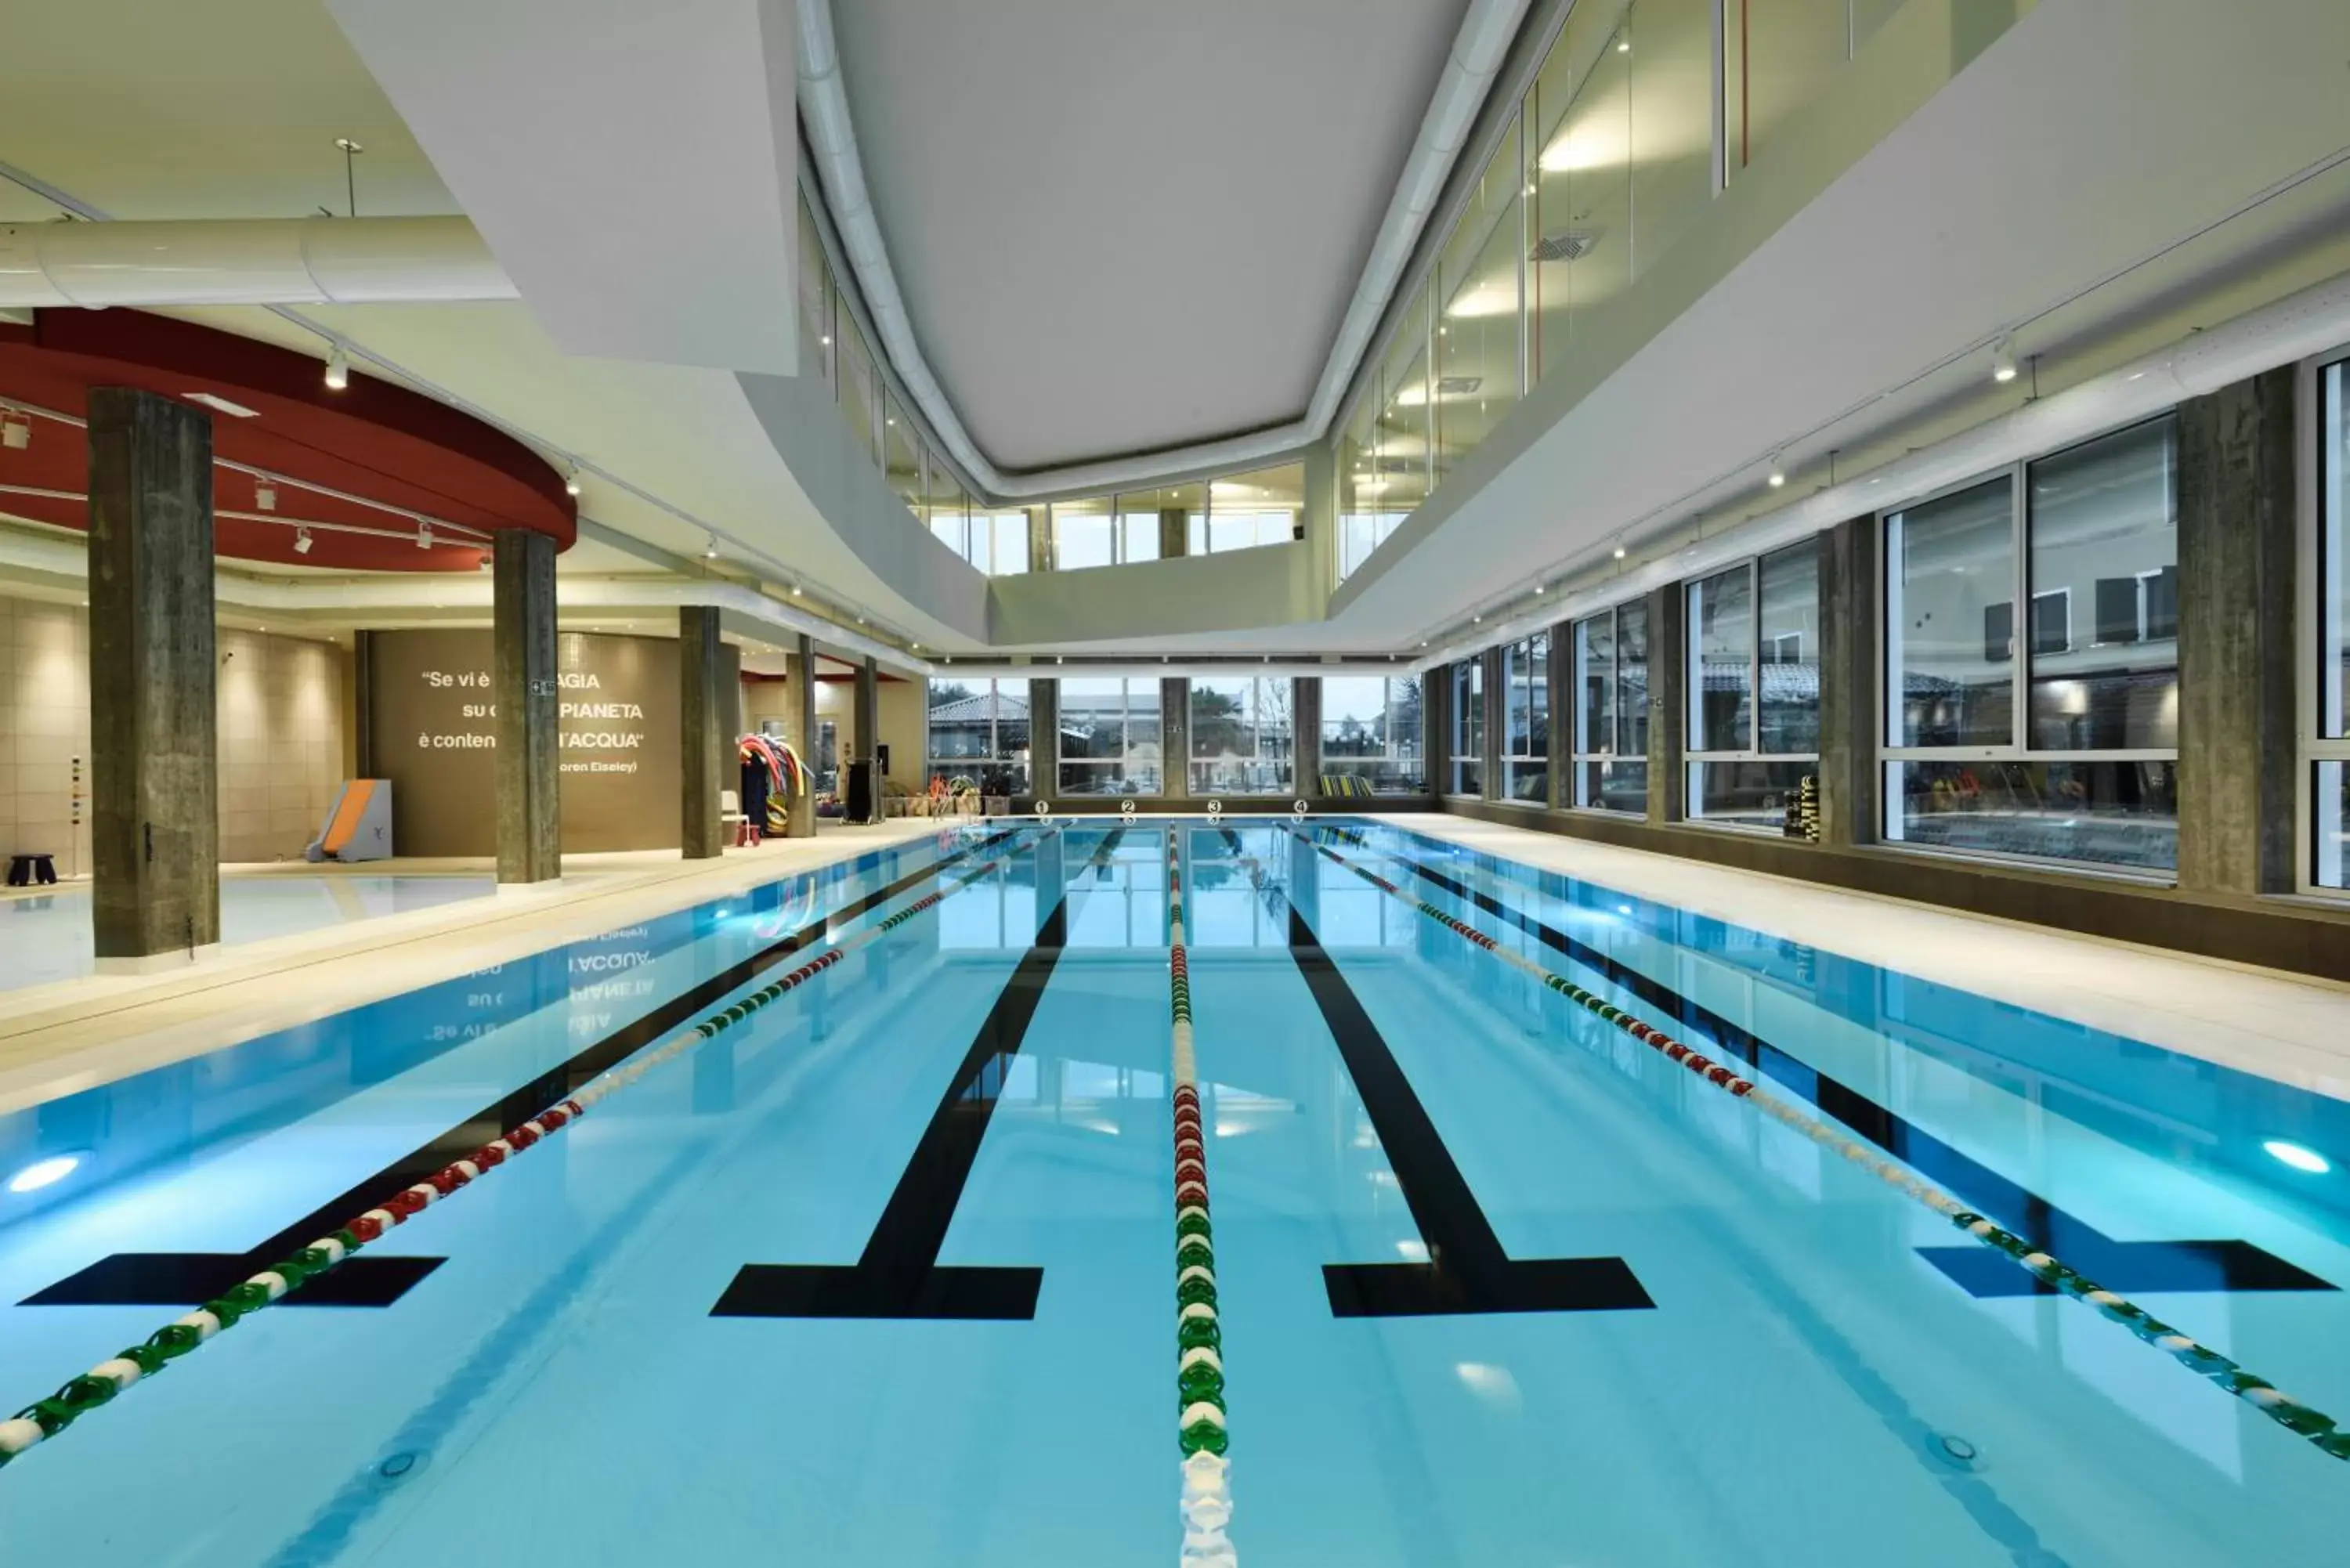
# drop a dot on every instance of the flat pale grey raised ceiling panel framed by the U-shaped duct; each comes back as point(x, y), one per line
point(1132, 225)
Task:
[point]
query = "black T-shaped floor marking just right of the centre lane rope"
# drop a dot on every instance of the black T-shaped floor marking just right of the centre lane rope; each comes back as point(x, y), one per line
point(1468, 1273)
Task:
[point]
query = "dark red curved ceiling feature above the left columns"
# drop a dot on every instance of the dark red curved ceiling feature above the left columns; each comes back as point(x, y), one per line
point(370, 441)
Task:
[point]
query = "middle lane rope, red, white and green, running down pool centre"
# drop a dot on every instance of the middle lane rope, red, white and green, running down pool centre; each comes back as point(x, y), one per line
point(1200, 1334)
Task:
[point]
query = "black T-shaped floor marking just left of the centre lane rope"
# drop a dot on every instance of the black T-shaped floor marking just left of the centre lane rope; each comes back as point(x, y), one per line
point(899, 1273)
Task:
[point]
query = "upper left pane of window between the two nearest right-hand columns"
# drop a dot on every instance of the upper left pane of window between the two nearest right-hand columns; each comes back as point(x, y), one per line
point(1949, 619)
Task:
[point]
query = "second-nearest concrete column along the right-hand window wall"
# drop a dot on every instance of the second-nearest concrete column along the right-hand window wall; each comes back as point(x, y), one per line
point(1848, 683)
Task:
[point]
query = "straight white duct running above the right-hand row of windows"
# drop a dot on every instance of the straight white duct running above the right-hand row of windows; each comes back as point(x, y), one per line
point(2292, 330)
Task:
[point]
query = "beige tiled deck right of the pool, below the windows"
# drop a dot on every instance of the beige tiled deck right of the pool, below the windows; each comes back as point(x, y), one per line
point(2278, 1026)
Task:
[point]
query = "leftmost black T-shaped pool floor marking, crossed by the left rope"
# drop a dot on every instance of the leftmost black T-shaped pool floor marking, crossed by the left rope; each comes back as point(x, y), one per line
point(375, 1280)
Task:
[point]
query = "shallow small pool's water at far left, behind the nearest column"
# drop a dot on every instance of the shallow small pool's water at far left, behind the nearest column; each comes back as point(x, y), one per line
point(46, 937)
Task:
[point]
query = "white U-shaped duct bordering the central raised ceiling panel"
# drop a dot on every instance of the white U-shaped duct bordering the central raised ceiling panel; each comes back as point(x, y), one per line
point(824, 102)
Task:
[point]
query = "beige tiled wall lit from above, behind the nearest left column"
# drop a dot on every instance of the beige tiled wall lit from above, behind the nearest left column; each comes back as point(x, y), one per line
point(286, 723)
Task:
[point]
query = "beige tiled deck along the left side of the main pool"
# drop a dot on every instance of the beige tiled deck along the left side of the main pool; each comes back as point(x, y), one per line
point(72, 1036)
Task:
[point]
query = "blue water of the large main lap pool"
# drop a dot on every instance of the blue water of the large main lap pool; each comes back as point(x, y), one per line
point(1766, 1358)
